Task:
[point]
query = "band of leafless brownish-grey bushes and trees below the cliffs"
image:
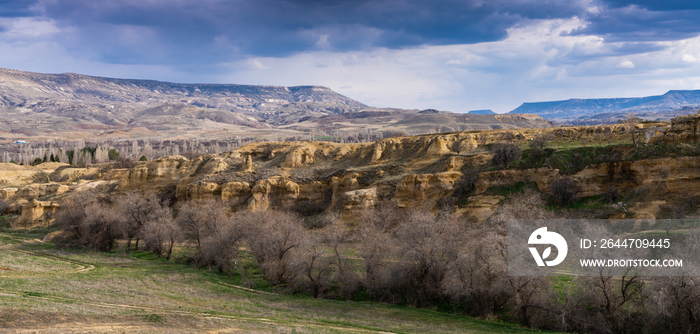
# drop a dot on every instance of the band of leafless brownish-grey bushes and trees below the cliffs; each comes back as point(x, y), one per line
point(405, 257)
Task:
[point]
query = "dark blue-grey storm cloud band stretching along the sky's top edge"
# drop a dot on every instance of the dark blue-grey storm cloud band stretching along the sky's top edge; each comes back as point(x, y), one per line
point(183, 32)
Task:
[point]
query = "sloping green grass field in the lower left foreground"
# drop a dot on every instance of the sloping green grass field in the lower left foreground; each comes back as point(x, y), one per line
point(51, 290)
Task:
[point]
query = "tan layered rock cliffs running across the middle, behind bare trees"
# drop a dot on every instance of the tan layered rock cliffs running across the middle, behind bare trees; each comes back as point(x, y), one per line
point(421, 171)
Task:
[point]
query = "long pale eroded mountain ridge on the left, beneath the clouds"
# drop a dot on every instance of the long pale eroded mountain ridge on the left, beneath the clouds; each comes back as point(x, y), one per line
point(48, 106)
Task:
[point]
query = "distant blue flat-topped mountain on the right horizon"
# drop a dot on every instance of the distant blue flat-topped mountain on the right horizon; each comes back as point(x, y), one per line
point(674, 100)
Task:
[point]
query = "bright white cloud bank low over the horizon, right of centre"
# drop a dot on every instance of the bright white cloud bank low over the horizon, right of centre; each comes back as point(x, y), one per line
point(536, 62)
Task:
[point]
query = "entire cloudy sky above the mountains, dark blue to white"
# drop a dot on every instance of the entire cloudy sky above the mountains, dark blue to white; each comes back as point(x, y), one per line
point(442, 54)
